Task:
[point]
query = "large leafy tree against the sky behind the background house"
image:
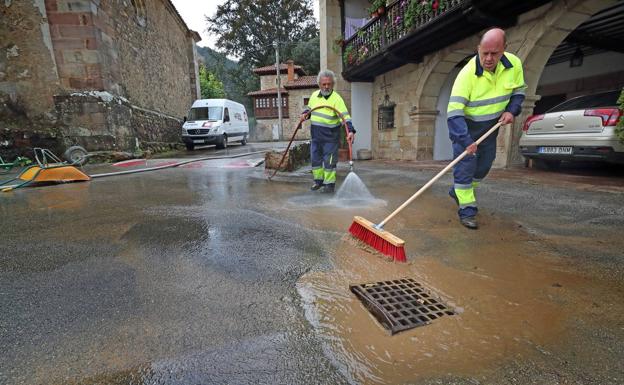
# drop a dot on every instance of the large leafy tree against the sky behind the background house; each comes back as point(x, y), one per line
point(248, 28)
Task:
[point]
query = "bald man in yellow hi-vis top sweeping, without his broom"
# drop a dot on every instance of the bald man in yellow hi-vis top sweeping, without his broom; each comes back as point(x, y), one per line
point(489, 89)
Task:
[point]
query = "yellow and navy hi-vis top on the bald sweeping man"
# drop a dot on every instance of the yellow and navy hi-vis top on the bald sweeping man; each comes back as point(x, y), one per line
point(480, 97)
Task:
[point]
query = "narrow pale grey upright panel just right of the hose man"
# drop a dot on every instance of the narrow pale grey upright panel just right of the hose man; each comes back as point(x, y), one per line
point(362, 115)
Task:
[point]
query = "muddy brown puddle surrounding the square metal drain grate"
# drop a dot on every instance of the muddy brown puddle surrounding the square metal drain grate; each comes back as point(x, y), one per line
point(513, 300)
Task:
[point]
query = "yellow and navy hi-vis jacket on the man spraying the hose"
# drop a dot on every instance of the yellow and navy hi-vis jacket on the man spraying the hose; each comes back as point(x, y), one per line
point(326, 124)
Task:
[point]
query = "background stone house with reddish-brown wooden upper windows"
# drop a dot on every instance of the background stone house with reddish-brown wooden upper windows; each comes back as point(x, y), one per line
point(296, 90)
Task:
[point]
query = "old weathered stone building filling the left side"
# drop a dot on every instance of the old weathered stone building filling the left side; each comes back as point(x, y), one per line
point(103, 74)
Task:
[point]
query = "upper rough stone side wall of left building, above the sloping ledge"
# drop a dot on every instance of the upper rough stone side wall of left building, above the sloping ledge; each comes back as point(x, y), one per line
point(149, 53)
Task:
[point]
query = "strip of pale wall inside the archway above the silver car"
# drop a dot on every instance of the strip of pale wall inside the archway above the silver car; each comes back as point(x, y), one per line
point(593, 65)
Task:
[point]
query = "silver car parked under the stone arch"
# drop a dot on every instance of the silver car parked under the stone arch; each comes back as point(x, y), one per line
point(581, 128)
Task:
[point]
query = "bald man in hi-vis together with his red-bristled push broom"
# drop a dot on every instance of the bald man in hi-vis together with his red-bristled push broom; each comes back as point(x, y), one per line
point(487, 93)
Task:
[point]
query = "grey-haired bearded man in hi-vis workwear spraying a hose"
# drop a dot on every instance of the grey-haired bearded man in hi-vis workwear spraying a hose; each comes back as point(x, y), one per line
point(325, 131)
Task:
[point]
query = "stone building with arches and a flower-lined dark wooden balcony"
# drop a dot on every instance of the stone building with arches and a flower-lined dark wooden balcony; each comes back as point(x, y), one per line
point(405, 63)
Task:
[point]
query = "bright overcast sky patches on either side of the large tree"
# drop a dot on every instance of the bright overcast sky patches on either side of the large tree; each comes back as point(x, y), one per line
point(193, 12)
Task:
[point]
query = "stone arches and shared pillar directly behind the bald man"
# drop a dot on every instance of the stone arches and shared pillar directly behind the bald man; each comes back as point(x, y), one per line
point(534, 39)
